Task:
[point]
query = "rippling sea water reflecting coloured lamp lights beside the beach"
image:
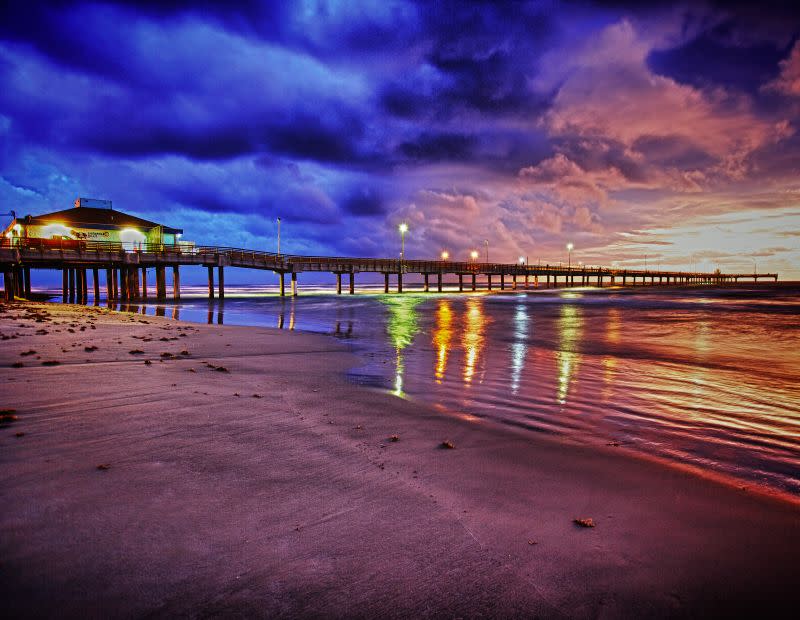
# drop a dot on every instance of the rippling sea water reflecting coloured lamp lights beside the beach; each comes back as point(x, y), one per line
point(708, 377)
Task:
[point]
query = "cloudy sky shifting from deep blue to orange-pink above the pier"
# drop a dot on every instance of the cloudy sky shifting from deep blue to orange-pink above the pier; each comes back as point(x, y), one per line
point(663, 135)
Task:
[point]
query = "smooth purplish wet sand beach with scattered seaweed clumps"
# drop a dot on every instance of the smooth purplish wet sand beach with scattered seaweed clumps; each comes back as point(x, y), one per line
point(272, 487)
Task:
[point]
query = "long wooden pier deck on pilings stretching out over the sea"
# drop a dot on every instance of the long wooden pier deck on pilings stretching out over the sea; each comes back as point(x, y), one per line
point(127, 267)
